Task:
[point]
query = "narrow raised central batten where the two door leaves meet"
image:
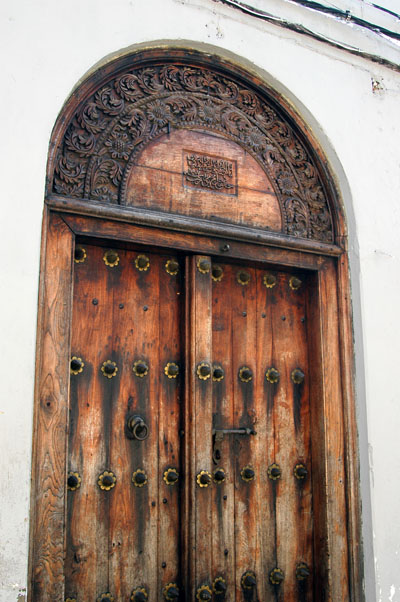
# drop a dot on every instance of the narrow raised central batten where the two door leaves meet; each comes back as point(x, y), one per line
point(199, 420)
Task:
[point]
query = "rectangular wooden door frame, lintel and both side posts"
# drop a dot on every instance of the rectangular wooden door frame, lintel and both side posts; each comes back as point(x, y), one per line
point(334, 455)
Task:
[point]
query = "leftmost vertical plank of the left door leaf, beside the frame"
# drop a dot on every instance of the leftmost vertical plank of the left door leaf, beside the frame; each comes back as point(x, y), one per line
point(91, 397)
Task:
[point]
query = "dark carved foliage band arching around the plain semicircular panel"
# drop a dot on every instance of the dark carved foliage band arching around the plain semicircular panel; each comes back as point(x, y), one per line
point(103, 140)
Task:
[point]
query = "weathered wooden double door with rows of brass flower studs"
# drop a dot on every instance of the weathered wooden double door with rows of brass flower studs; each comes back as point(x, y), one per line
point(189, 460)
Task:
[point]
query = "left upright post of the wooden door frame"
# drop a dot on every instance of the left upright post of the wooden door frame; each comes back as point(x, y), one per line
point(51, 395)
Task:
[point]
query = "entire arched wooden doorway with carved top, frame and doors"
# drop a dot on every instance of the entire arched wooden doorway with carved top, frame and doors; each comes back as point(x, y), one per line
point(194, 433)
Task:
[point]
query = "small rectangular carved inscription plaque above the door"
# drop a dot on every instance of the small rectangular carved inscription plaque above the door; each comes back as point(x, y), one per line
point(206, 171)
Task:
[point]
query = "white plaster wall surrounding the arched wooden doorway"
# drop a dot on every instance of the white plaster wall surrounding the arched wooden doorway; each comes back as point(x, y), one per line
point(46, 47)
